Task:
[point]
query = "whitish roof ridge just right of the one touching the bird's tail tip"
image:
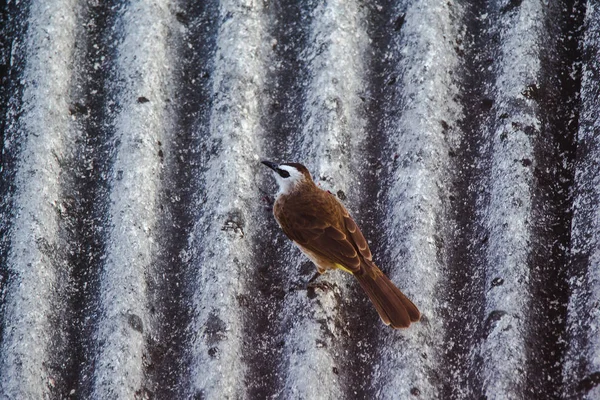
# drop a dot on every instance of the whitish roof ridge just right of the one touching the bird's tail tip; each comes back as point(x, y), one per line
point(507, 214)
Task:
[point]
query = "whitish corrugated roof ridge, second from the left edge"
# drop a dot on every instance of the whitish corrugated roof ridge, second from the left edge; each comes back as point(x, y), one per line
point(142, 70)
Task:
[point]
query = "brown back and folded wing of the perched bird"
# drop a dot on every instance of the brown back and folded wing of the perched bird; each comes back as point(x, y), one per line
point(322, 225)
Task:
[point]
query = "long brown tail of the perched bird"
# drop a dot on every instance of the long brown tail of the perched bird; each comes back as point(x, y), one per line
point(394, 308)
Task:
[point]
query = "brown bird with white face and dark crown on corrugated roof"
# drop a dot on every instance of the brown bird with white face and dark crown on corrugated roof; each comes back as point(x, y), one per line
point(322, 228)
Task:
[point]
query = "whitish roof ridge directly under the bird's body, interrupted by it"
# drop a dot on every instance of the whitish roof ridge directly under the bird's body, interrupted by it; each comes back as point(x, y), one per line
point(332, 129)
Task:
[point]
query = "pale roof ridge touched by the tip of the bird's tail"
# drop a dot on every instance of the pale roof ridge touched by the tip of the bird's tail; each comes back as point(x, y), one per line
point(415, 198)
